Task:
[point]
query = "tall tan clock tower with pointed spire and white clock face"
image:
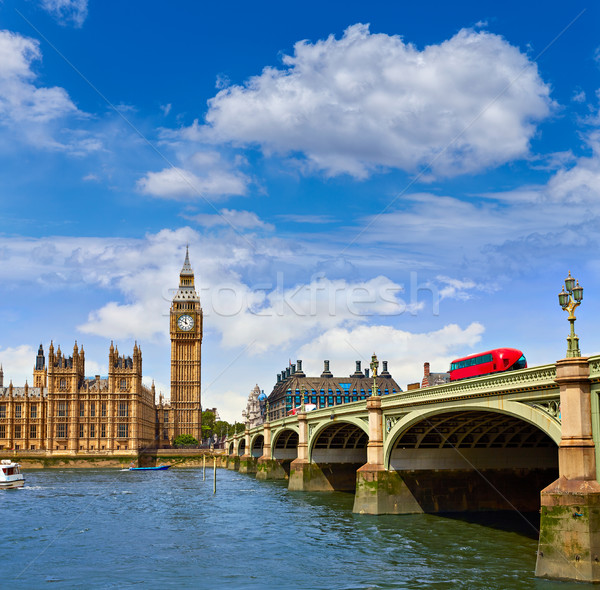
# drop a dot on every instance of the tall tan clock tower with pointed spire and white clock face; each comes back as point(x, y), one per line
point(186, 343)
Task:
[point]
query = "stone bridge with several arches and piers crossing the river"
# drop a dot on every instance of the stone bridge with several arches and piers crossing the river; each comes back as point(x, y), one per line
point(498, 442)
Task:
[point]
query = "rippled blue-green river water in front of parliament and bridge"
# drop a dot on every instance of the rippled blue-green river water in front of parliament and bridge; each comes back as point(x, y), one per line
point(114, 529)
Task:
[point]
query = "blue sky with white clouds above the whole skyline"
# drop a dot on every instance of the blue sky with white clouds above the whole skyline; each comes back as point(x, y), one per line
point(411, 179)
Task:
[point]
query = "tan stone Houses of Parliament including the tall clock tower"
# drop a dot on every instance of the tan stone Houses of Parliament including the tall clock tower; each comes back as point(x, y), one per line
point(65, 411)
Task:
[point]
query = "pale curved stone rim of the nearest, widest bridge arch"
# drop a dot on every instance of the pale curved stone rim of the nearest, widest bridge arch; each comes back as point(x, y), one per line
point(530, 414)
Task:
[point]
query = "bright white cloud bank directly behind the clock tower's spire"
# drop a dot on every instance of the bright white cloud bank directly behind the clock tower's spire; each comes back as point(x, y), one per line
point(262, 317)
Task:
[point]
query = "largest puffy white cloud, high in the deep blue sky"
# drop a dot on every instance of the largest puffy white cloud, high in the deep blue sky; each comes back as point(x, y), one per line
point(370, 100)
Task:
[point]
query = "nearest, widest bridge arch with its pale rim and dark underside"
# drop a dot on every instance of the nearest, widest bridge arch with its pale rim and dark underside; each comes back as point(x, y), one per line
point(474, 457)
